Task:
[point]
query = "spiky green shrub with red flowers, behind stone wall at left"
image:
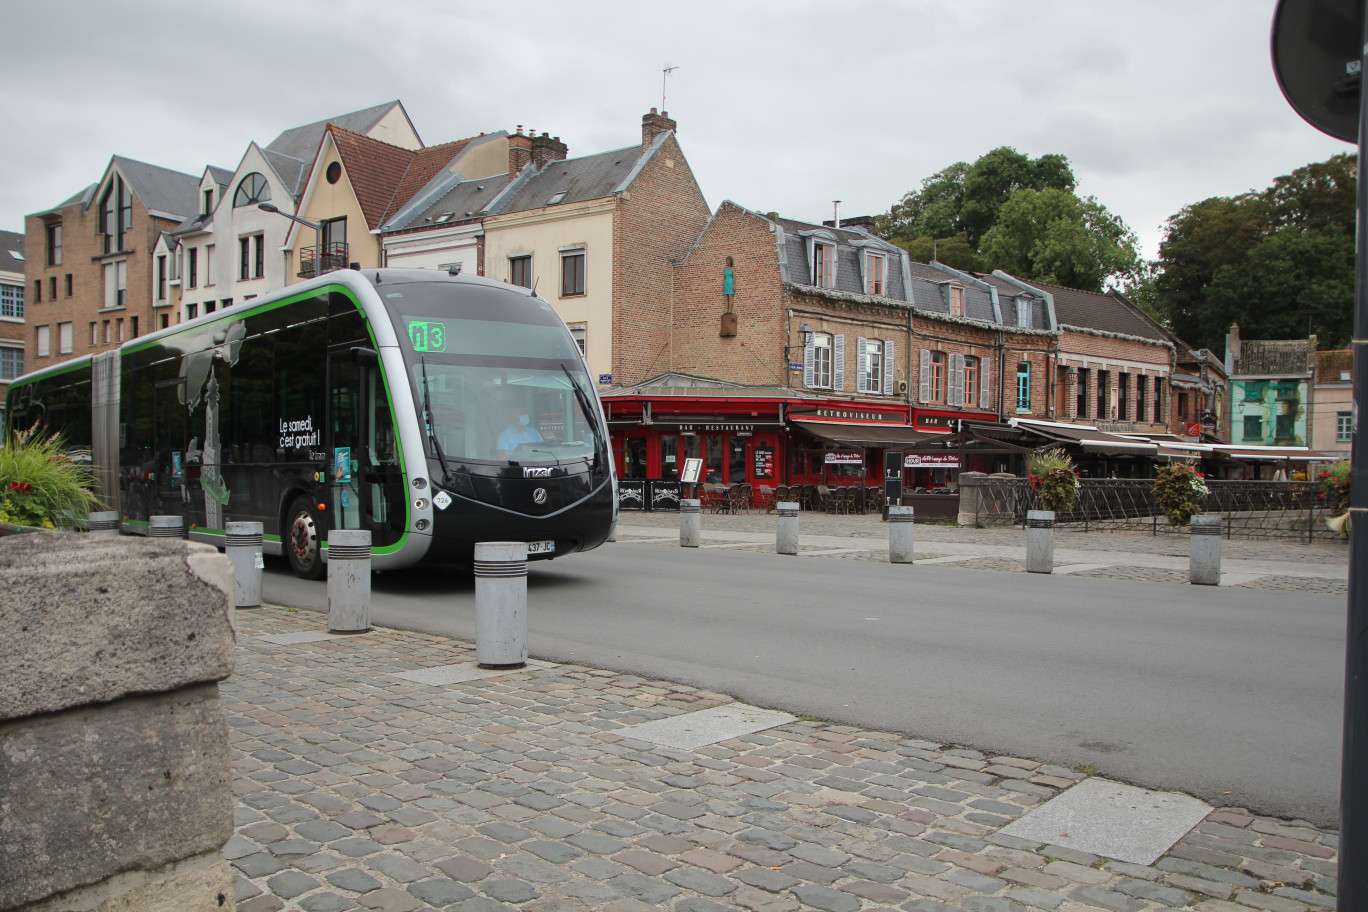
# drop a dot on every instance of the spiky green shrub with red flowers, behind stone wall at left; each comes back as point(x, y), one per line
point(39, 482)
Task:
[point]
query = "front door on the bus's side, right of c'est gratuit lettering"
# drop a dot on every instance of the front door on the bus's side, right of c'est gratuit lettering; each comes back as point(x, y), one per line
point(365, 477)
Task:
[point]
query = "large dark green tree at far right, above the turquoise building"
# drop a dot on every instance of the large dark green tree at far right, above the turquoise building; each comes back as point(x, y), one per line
point(1280, 263)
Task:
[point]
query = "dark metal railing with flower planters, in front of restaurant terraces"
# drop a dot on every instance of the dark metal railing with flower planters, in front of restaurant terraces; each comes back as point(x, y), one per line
point(1248, 509)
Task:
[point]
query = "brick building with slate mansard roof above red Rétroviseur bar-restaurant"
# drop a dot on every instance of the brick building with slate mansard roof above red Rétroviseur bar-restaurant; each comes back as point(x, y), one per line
point(797, 353)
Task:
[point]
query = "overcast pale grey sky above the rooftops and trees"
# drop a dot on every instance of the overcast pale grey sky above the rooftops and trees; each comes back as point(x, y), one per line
point(782, 106)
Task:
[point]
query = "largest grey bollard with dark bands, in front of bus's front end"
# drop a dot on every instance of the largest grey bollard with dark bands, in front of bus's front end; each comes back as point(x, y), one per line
point(501, 605)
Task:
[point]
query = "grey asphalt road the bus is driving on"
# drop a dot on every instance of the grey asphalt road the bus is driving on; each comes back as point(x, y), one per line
point(1231, 695)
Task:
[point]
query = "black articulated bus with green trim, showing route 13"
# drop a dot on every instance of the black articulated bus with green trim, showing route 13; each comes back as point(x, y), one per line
point(436, 411)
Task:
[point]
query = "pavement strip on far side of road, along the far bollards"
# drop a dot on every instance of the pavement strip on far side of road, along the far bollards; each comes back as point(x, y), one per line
point(1281, 565)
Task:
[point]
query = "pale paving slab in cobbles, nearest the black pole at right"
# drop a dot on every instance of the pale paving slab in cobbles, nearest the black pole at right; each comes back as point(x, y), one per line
point(1113, 821)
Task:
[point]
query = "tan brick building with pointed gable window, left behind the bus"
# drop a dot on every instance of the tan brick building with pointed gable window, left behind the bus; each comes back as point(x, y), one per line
point(91, 271)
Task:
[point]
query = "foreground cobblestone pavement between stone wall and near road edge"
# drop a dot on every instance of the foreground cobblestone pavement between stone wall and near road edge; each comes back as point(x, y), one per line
point(526, 791)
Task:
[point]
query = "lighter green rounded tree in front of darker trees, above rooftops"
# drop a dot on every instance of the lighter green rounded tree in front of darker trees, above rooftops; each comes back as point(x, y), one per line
point(1053, 236)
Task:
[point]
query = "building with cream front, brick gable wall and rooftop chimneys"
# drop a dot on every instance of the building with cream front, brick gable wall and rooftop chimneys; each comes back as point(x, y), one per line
point(597, 237)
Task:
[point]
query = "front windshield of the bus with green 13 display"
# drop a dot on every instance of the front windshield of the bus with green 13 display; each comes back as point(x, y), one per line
point(499, 381)
